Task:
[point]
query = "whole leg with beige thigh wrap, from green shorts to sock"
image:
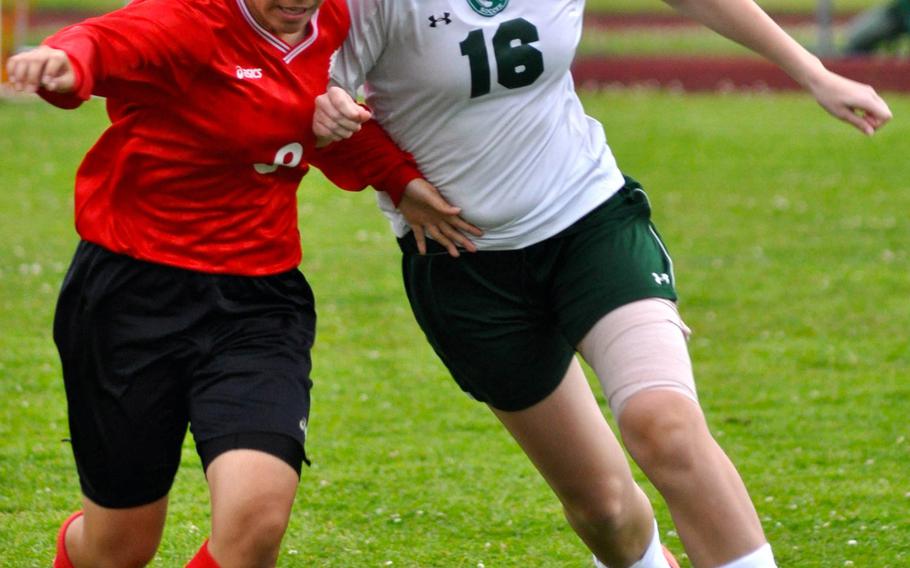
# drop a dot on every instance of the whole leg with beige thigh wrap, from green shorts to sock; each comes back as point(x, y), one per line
point(640, 355)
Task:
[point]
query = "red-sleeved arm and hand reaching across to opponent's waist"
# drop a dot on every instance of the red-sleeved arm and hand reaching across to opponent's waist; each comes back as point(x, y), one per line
point(369, 157)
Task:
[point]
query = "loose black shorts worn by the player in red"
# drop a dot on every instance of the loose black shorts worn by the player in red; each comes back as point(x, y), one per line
point(148, 349)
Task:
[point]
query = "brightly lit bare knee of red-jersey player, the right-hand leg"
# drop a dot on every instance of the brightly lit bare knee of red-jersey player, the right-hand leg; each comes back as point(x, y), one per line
point(252, 495)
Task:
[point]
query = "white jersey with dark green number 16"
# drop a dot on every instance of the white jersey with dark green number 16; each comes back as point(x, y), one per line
point(480, 93)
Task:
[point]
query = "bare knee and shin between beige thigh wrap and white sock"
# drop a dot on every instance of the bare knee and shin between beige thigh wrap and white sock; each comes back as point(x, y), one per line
point(667, 436)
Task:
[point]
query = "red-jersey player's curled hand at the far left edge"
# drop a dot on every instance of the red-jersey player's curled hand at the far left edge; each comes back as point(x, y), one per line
point(42, 67)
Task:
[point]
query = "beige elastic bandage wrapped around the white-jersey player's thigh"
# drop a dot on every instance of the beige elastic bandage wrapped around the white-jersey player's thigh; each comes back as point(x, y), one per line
point(640, 346)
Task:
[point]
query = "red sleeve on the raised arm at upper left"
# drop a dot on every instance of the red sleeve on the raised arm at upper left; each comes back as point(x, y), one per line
point(148, 47)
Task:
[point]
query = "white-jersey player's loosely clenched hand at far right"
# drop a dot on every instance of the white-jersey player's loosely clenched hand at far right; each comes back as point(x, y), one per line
point(852, 102)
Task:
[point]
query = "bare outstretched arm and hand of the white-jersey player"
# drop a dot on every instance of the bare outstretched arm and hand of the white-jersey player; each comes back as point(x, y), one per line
point(746, 23)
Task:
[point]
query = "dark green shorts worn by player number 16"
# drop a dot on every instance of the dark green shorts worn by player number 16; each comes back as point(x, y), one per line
point(506, 323)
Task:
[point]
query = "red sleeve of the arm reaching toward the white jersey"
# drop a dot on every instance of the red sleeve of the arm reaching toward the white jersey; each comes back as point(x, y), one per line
point(369, 157)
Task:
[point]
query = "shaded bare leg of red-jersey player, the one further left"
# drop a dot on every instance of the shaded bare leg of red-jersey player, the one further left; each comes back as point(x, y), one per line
point(115, 538)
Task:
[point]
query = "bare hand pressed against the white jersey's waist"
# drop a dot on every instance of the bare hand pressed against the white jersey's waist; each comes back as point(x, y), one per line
point(429, 214)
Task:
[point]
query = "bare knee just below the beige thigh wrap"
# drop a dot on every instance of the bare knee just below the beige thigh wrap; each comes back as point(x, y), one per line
point(664, 432)
